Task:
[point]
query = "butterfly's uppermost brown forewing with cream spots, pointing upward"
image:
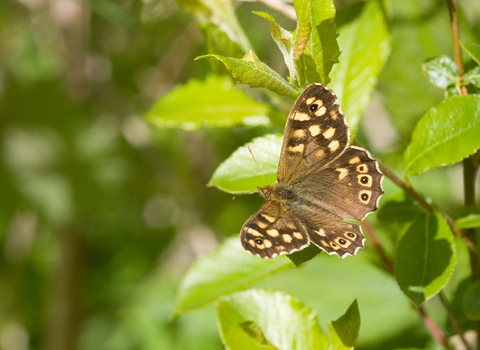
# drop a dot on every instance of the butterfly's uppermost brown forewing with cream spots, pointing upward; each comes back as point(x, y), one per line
point(315, 134)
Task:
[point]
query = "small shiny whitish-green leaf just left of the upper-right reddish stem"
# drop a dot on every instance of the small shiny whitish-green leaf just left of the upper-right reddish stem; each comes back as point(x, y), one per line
point(441, 71)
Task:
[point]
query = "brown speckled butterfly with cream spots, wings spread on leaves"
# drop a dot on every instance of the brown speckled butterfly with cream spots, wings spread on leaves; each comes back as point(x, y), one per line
point(321, 181)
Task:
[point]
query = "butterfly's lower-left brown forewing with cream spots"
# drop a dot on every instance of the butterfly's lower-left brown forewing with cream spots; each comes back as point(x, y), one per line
point(273, 230)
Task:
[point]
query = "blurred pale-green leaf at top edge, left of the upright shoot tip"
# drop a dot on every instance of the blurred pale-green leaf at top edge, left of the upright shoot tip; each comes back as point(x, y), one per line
point(220, 25)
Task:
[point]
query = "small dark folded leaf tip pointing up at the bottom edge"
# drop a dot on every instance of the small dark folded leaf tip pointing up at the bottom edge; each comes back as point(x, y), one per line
point(346, 329)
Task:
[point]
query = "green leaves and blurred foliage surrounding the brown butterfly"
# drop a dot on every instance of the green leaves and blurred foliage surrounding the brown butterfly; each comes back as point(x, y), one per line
point(108, 230)
